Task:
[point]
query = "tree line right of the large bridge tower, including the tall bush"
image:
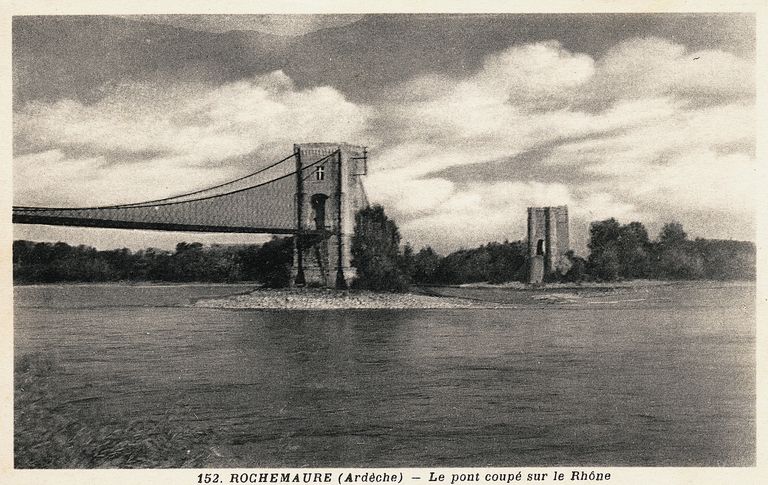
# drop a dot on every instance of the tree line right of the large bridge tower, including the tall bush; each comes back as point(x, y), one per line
point(617, 252)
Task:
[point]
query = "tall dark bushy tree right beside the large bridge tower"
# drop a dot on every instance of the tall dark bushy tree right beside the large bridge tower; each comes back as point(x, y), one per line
point(376, 252)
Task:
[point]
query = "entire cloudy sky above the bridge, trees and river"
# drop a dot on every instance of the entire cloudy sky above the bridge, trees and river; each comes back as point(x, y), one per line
point(469, 119)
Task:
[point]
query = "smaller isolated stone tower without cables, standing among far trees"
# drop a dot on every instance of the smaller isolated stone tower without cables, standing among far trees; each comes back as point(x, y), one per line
point(547, 241)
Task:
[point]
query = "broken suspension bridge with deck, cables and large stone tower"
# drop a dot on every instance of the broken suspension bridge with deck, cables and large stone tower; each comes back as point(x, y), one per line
point(312, 194)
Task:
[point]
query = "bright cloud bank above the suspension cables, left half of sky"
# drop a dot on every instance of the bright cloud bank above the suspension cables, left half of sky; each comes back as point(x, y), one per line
point(154, 140)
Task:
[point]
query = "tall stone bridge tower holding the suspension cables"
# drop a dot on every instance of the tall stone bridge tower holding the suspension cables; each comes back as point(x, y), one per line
point(328, 195)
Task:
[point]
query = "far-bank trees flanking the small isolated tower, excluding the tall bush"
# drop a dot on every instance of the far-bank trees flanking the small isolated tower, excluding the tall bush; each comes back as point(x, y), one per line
point(617, 252)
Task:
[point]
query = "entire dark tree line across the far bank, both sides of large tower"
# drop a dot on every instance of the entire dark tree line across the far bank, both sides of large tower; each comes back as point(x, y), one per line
point(616, 252)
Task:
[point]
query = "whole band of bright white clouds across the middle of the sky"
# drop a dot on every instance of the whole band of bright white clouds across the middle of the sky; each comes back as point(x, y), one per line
point(645, 132)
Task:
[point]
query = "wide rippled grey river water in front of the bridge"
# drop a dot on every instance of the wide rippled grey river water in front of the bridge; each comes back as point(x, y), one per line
point(664, 377)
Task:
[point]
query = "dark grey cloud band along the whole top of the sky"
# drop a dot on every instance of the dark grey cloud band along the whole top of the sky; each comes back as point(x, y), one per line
point(58, 57)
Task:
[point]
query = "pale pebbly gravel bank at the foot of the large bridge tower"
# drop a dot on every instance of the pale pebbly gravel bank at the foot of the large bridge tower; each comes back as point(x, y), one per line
point(322, 299)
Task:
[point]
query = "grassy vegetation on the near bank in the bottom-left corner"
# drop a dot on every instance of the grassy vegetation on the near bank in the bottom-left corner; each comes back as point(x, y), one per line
point(53, 432)
